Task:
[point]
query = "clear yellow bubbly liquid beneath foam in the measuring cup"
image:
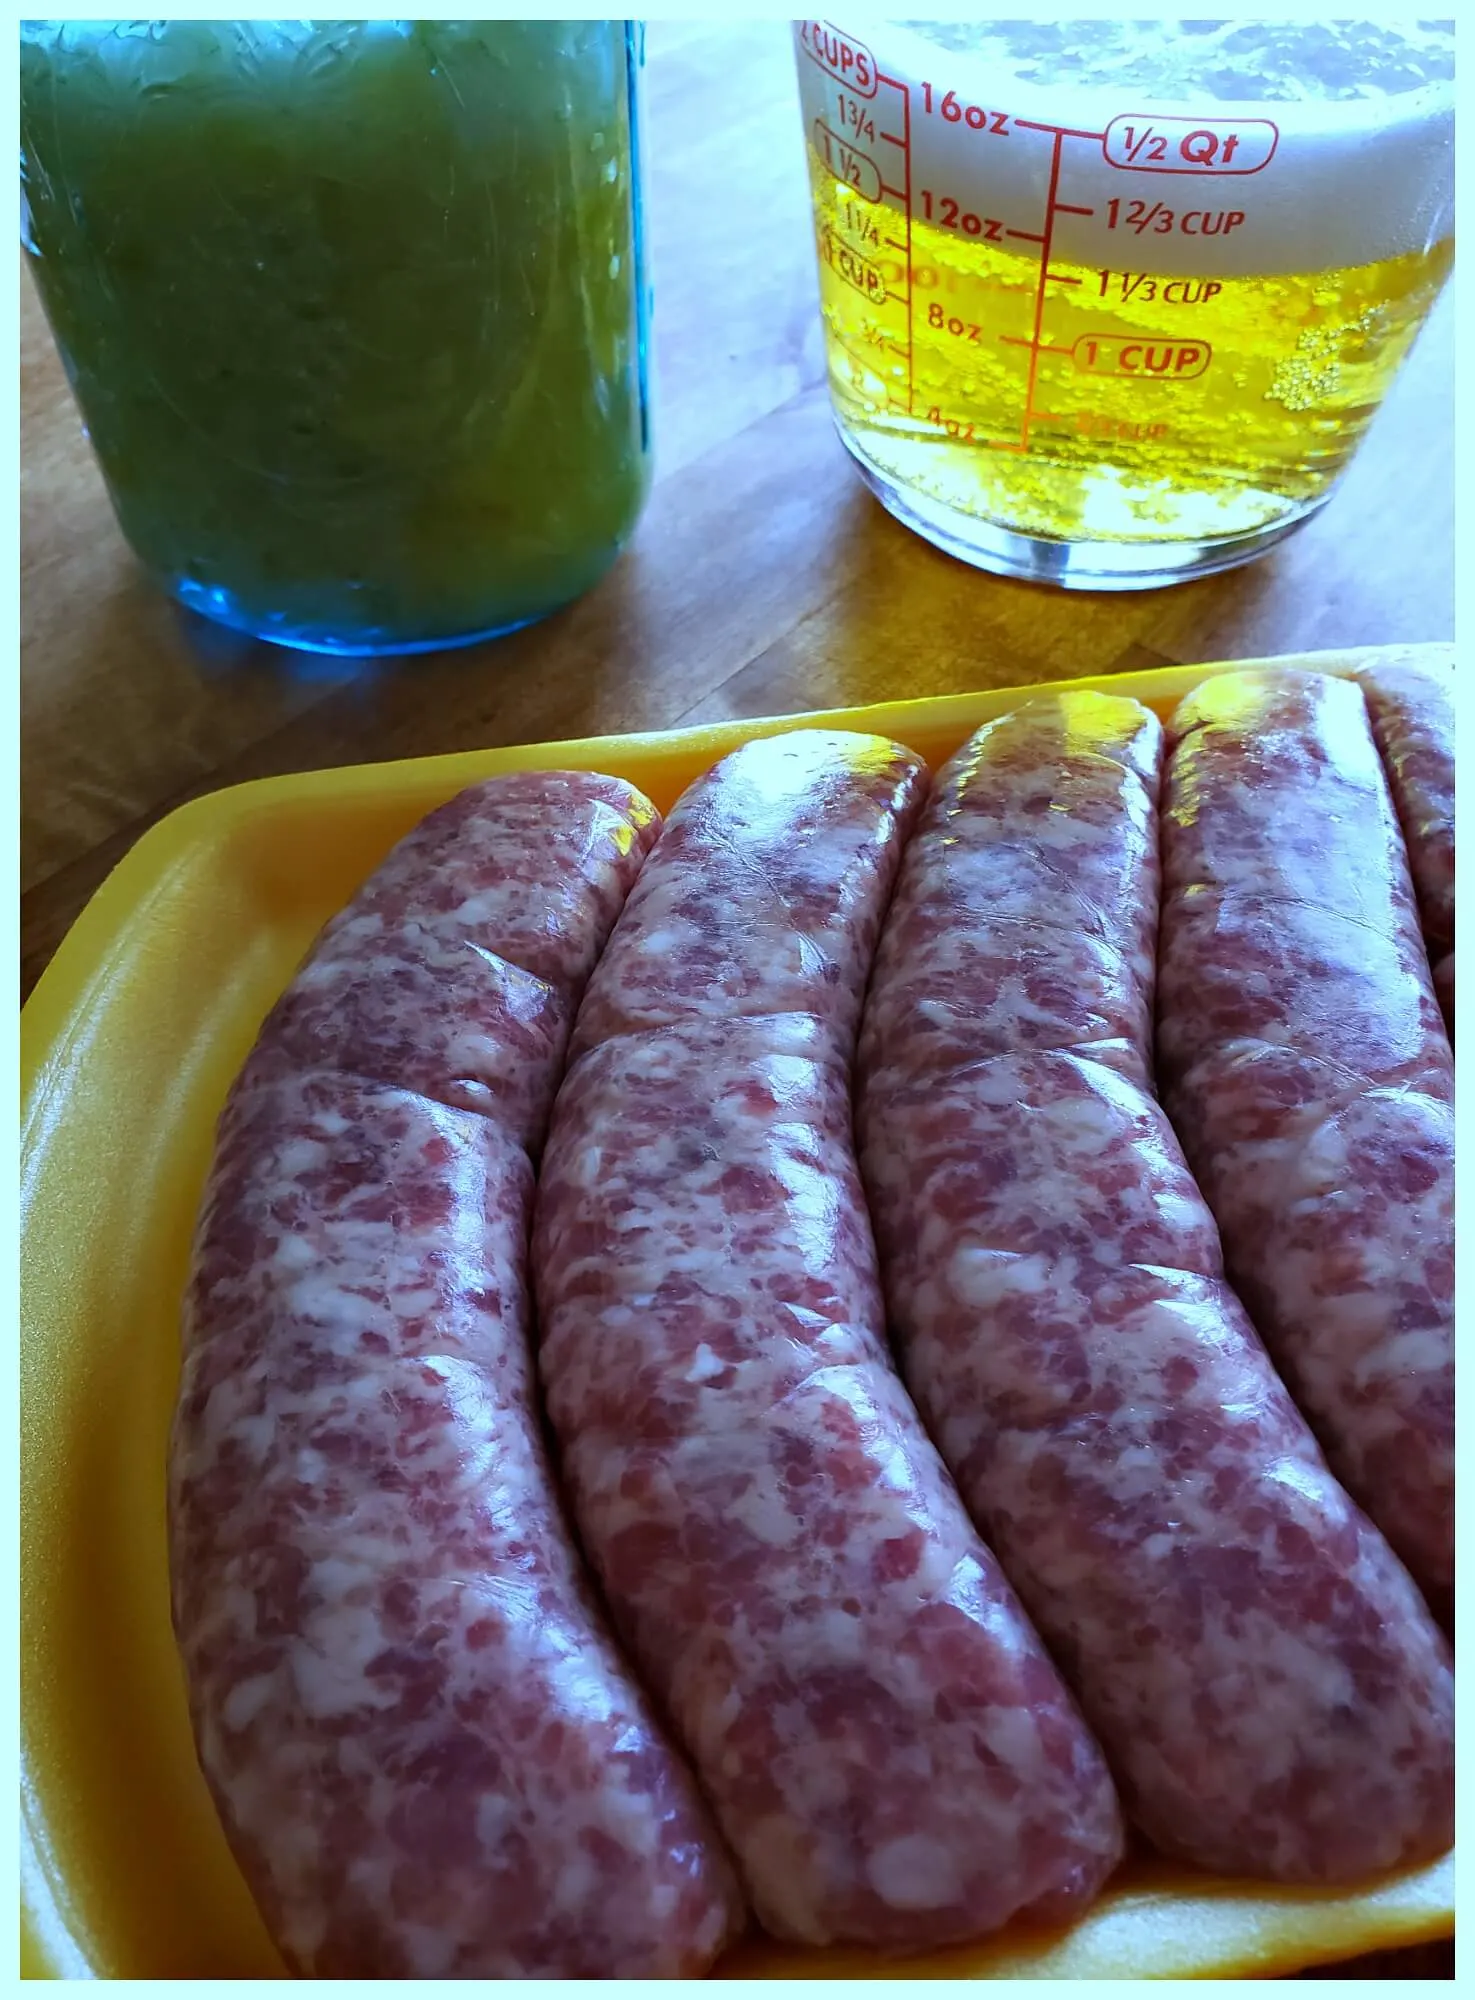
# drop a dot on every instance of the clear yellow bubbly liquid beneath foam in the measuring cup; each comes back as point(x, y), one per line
point(1300, 365)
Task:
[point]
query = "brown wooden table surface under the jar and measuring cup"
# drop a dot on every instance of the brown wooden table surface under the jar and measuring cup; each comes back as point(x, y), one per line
point(762, 577)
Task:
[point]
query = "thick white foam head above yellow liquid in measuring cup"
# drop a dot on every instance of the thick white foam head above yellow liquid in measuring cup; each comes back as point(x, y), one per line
point(1360, 117)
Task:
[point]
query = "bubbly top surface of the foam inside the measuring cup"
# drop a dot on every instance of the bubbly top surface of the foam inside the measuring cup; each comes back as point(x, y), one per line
point(1228, 61)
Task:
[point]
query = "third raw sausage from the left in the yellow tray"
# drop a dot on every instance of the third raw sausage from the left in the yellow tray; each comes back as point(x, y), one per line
point(1262, 1673)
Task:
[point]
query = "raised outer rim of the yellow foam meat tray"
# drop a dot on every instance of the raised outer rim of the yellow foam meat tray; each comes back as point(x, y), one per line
point(59, 1009)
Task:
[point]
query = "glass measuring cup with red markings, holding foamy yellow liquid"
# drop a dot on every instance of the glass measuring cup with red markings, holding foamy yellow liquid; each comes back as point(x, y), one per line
point(1112, 305)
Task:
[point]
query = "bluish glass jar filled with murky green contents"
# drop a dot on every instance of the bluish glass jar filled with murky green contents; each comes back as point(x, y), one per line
point(355, 311)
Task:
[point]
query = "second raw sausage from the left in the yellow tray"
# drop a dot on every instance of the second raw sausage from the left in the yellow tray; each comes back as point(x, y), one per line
point(886, 1745)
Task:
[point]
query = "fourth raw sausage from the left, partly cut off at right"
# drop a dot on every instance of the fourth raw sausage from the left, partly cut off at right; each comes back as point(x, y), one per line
point(1312, 1083)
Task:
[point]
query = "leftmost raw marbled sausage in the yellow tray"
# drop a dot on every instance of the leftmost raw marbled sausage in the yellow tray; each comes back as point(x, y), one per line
point(425, 1745)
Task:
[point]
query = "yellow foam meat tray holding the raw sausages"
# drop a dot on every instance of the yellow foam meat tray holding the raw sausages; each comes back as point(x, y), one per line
point(129, 1045)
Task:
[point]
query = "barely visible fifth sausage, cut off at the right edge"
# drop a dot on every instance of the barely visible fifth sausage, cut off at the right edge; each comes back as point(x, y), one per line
point(1412, 705)
